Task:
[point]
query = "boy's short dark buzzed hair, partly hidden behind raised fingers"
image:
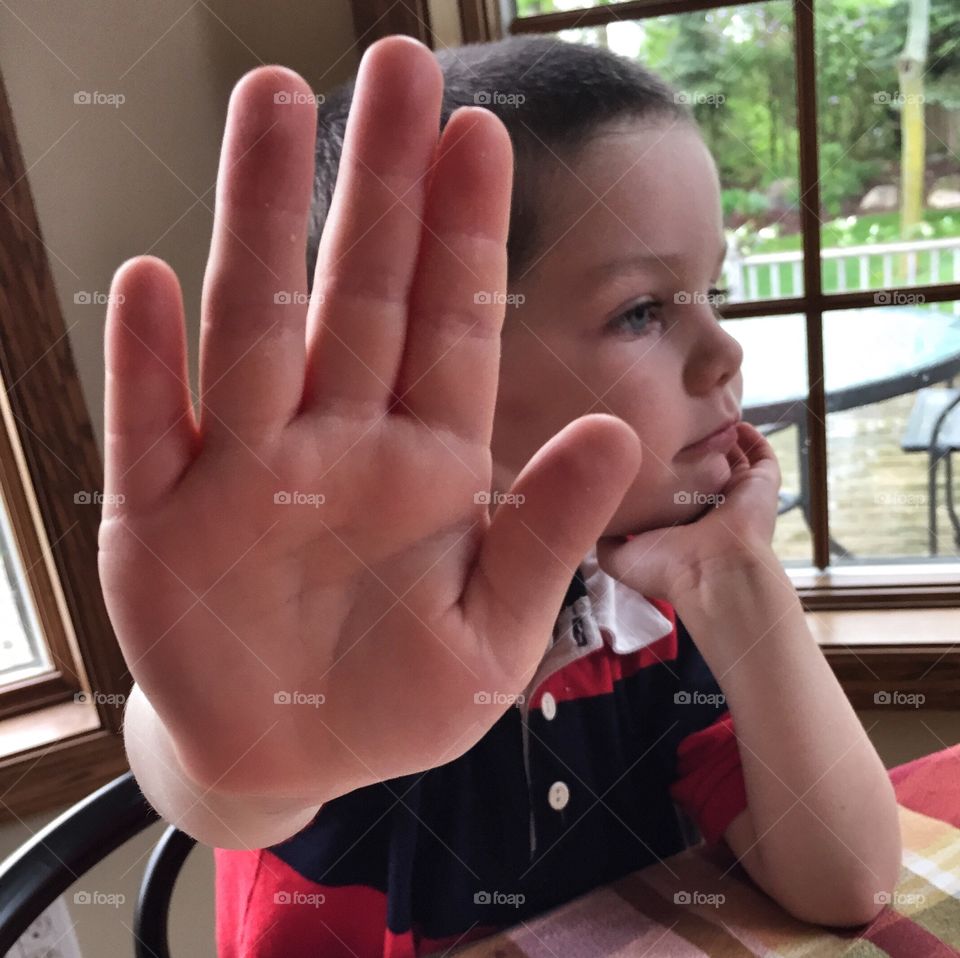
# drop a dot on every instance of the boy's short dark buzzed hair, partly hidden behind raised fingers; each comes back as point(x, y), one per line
point(551, 96)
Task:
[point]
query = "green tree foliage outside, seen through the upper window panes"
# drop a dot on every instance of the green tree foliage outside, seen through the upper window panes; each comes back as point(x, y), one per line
point(736, 66)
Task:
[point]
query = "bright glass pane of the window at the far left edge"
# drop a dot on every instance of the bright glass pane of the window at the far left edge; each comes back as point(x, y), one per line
point(22, 651)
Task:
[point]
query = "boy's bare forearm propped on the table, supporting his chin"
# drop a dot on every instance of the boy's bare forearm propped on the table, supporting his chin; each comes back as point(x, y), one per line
point(822, 805)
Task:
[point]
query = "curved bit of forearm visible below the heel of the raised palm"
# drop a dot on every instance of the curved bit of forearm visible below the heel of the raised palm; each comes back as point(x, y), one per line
point(211, 817)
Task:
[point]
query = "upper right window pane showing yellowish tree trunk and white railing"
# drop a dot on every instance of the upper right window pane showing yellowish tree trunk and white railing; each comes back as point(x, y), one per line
point(889, 141)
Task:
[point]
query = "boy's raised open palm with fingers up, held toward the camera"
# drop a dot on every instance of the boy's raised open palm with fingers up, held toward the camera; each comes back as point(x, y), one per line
point(306, 583)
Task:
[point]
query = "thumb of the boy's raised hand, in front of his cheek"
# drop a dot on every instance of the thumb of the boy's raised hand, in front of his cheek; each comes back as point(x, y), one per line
point(565, 496)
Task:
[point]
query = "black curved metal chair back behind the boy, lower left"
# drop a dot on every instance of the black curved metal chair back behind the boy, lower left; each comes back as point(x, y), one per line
point(41, 869)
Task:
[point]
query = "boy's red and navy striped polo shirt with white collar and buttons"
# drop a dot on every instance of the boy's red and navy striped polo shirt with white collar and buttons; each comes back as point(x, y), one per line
point(620, 752)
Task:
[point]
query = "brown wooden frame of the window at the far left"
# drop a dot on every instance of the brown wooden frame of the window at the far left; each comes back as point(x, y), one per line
point(56, 744)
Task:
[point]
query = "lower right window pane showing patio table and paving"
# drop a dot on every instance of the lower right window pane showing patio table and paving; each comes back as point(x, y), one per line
point(888, 376)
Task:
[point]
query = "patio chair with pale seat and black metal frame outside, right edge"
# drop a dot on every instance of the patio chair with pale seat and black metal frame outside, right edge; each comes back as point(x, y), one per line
point(934, 428)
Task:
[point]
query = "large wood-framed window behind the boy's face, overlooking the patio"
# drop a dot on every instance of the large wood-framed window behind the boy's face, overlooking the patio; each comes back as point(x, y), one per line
point(847, 301)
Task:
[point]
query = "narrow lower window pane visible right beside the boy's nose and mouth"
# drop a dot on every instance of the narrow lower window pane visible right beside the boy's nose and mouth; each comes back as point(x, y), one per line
point(774, 400)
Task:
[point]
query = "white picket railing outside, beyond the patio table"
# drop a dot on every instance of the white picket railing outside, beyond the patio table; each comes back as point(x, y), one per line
point(781, 274)
